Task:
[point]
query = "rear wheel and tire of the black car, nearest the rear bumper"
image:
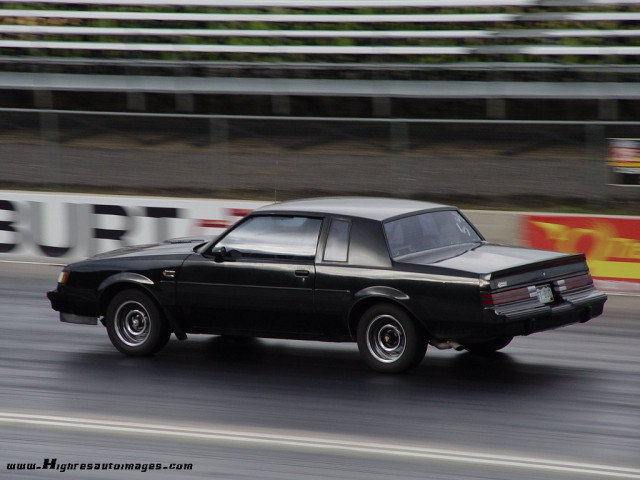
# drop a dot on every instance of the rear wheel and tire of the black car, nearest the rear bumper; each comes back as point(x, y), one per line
point(389, 341)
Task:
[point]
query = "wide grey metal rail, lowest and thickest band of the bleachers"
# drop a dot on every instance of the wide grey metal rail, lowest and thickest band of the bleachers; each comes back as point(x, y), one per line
point(322, 88)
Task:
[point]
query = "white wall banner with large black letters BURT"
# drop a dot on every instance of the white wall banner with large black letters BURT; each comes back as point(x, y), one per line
point(60, 228)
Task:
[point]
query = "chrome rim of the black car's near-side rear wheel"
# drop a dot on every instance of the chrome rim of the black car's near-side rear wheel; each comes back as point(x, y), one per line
point(386, 339)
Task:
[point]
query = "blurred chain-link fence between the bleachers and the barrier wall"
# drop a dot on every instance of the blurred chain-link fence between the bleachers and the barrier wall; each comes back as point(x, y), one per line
point(476, 163)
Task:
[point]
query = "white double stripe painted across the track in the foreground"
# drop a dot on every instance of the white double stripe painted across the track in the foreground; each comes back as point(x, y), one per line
point(327, 444)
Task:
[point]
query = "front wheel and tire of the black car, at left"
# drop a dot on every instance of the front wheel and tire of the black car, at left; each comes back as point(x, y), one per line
point(135, 324)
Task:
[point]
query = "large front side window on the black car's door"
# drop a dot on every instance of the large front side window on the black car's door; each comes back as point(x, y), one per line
point(275, 236)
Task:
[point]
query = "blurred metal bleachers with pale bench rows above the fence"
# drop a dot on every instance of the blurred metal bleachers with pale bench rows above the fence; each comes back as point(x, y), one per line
point(374, 53)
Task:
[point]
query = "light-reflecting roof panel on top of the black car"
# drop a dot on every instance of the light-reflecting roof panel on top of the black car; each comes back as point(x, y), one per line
point(364, 207)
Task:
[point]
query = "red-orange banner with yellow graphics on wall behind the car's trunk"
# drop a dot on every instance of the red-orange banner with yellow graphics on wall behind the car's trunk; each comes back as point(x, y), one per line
point(611, 244)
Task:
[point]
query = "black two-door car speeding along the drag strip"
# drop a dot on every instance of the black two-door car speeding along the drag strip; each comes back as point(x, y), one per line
point(393, 275)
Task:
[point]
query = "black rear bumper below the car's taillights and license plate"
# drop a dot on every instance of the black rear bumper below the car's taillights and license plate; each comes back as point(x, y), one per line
point(572, 309)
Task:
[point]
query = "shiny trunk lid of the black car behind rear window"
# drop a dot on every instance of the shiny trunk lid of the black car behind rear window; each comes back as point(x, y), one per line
point(483, 258)
